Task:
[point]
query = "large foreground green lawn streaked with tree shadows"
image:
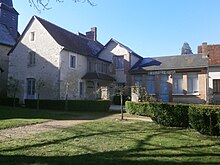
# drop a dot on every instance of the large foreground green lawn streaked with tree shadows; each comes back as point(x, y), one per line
point(108, 141)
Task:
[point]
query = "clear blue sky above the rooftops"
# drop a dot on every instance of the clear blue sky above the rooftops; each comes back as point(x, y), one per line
point(149, 27)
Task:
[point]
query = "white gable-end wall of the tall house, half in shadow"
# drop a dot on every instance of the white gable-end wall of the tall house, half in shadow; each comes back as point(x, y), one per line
point(47, 61)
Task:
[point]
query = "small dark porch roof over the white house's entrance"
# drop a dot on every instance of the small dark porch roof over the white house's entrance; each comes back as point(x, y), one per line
point(97, 76)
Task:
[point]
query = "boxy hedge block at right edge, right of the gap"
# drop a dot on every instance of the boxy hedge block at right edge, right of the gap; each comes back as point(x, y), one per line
point(205, 119)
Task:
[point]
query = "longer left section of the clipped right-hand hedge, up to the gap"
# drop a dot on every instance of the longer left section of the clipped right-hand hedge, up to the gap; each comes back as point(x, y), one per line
point(167, 114)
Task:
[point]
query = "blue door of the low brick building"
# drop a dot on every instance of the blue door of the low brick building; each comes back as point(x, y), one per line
point(164, 88)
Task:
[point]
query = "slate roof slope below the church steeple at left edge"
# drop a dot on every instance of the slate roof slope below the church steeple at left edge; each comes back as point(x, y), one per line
point(5, 36)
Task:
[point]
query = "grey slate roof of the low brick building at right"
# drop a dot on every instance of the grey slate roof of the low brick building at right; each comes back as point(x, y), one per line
point(170, 63)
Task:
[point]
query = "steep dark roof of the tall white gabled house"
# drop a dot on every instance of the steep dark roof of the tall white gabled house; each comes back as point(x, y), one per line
point(70, 41)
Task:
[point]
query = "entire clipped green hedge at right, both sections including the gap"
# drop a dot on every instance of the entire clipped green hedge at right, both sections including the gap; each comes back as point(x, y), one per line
point(203, 118)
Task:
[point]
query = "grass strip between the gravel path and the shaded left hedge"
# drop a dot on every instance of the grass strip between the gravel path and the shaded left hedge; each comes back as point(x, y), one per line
point(14, 117)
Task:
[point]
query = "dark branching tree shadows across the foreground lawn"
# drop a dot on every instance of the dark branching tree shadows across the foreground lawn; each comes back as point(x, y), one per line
point(145, 151)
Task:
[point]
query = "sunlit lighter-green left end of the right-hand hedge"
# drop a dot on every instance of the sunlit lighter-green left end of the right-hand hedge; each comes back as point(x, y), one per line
point(139, 108)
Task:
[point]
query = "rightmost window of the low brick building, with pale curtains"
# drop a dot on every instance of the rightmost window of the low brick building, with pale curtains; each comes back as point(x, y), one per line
point(193, 83)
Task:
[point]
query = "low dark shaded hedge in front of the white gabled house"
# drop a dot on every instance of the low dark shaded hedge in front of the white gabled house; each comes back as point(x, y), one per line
point(71, 105)
